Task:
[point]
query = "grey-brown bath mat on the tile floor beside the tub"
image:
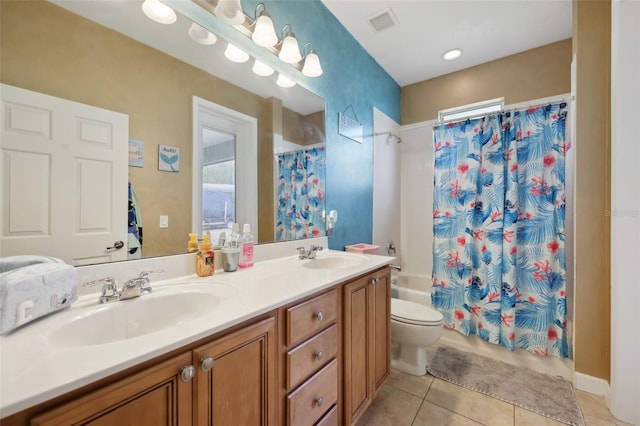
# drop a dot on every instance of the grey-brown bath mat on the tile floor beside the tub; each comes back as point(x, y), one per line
point(541, 393)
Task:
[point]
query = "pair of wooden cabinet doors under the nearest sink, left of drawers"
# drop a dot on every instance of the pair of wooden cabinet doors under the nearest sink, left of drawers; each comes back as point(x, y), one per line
point(229, 381)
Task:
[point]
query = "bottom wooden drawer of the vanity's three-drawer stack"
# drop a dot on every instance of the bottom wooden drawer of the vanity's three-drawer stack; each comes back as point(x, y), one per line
point(311, 400)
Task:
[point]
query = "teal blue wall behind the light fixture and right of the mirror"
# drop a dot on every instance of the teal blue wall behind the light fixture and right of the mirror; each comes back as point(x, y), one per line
point(351, 78)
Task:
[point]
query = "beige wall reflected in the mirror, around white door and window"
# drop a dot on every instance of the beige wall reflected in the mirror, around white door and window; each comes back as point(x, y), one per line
point(50, 50)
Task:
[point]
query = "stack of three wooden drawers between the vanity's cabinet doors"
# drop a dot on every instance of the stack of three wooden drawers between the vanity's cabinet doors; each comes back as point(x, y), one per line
point(310, 360)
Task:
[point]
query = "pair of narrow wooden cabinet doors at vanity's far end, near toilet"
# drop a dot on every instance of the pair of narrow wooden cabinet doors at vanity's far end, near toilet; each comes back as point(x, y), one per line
point(367, 340)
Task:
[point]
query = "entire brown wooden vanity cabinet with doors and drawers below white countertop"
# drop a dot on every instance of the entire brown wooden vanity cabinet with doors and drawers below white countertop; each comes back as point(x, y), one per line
point(316, 361)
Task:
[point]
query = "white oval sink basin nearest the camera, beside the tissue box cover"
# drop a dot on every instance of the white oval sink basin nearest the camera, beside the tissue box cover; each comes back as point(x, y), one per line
point(127, 319)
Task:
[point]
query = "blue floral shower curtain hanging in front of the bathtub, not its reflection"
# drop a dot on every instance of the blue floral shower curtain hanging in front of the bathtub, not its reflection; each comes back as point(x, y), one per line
point(499, 225)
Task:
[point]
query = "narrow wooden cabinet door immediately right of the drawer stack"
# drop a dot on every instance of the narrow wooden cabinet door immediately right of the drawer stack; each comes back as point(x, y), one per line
point(357, 338)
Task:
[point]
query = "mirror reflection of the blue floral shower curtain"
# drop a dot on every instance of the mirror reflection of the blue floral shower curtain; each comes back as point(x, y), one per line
point(301, 194)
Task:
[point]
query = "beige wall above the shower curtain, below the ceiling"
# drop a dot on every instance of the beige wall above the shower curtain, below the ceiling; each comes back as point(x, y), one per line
point(536, 73)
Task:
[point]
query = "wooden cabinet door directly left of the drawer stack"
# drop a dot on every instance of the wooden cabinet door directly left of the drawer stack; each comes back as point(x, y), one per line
point(235, 377)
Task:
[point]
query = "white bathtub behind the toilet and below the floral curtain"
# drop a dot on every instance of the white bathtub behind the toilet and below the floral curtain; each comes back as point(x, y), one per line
point(417, 289)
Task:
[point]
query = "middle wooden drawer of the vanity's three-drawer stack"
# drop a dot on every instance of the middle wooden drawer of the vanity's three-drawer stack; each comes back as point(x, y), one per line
point(311, 355)
